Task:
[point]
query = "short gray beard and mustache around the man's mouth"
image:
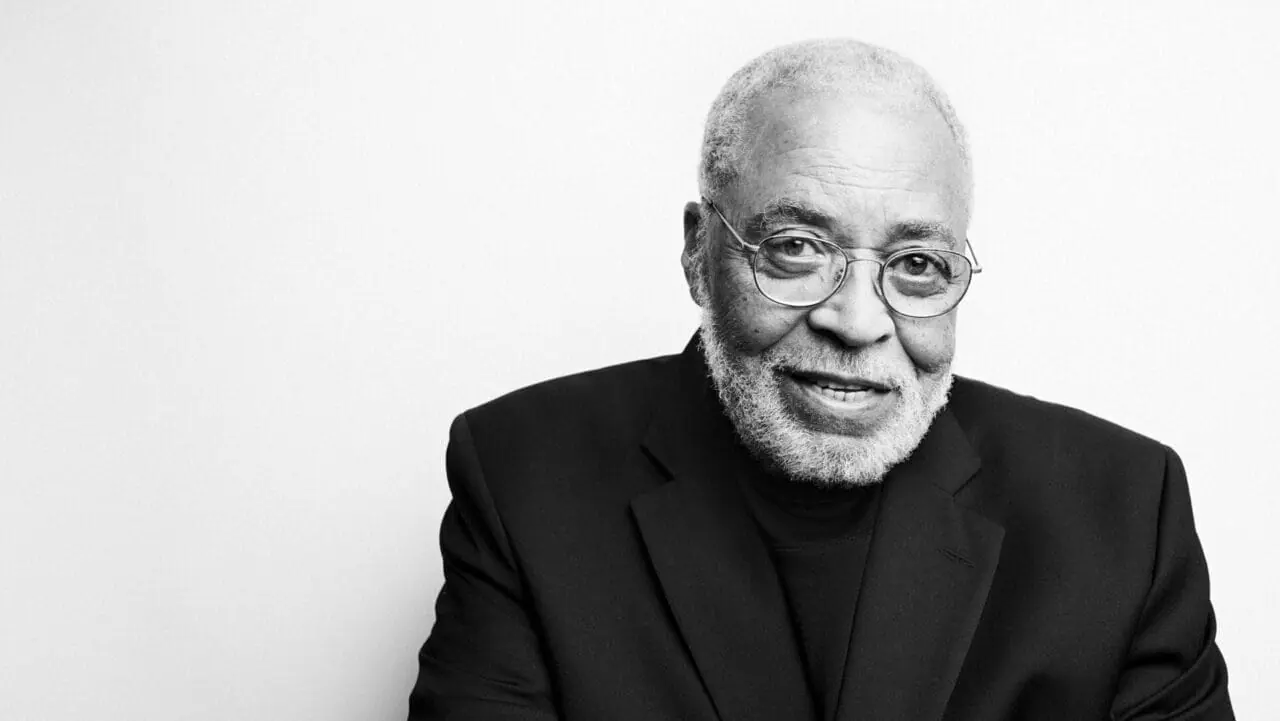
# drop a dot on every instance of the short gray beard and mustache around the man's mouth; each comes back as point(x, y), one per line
point(749, 387)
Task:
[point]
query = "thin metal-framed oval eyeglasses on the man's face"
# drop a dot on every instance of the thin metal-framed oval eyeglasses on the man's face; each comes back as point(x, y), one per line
point(801, 271)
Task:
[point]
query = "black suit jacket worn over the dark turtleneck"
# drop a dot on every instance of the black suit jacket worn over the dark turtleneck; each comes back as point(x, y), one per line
point(1030, 562)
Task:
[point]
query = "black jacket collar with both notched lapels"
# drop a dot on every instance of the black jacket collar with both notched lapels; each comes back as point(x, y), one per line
point(929, 571)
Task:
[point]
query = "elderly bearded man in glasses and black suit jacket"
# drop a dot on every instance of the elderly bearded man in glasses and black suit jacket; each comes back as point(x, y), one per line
point(806, 515)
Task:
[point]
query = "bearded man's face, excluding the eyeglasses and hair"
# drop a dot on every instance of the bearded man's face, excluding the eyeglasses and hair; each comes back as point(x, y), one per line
point(840, 393)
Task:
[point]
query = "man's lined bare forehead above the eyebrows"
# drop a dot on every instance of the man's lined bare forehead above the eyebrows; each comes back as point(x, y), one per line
point(860, 158)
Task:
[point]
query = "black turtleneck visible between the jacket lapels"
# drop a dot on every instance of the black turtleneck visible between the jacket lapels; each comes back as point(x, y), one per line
point(820, 539)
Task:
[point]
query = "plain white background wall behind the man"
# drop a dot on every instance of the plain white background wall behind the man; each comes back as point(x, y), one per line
point(255, 257)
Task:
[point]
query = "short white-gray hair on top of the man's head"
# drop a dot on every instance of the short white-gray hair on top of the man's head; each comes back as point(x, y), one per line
point(815, 66)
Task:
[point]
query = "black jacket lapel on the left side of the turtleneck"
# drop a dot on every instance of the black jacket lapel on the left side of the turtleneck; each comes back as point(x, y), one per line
point(712, 563)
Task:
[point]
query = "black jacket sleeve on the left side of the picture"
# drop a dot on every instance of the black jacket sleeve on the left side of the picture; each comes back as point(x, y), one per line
point(483, 659)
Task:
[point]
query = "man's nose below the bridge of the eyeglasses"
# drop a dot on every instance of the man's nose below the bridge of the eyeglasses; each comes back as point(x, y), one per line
point(856, 316)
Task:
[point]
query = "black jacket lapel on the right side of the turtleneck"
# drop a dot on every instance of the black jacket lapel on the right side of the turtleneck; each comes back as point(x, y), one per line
point(929, 573)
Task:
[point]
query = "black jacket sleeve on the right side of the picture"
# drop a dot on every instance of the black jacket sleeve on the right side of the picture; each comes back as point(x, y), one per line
point(1174, 669)
